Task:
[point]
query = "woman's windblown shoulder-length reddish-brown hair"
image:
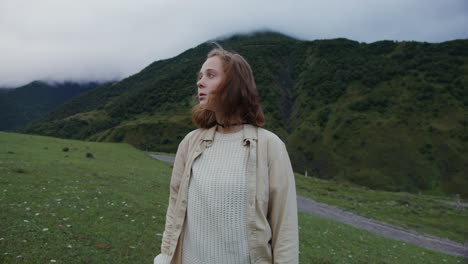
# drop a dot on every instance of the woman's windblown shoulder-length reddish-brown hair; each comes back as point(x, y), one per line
point(236, 100)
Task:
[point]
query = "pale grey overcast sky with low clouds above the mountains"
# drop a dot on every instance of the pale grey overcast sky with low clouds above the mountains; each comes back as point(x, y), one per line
point(102, 40)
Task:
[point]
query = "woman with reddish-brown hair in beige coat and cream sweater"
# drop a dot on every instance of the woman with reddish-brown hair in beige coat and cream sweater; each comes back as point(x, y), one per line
point(232, 196)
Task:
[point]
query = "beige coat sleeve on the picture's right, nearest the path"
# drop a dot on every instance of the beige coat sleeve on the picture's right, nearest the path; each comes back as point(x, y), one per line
point(282, 213)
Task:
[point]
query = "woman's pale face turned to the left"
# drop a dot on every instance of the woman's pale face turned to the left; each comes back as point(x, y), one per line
point(209, 78)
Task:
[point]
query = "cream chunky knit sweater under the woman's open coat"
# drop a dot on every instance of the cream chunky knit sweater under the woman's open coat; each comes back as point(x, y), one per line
point(216, 225)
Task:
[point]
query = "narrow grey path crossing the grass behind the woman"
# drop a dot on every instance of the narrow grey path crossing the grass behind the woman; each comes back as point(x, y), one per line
point(374, 226)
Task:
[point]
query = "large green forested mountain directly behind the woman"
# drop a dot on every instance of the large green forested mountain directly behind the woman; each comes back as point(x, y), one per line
point(387, 115)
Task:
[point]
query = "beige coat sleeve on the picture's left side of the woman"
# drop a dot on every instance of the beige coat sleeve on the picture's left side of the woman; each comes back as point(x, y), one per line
point(169, 233)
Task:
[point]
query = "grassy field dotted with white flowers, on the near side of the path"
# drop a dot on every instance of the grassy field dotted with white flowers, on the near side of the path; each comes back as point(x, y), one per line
point(60, 206)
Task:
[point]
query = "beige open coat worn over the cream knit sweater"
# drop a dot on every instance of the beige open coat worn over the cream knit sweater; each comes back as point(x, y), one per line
point(272, 212)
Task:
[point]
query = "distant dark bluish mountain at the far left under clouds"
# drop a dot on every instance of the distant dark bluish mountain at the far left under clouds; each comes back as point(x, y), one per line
point(33, 101)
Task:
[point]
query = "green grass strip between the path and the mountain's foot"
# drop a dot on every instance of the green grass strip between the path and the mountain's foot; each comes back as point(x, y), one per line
point(435, 215)
